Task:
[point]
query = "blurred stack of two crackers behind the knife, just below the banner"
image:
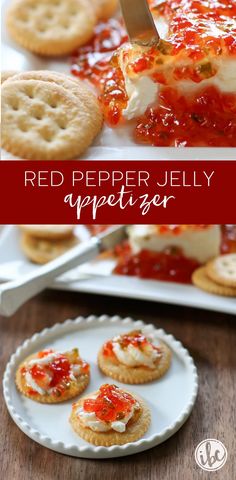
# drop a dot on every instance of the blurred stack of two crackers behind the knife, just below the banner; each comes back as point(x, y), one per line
point(43, 243)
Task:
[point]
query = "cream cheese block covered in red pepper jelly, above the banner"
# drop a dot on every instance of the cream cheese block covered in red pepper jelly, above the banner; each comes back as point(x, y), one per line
point(180, 92)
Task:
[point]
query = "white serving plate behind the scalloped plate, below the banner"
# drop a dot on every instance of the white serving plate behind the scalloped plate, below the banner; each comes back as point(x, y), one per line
point(97, 277)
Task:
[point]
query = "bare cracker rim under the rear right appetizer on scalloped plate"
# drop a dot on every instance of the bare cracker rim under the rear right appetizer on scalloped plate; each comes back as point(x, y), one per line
point(135, 375)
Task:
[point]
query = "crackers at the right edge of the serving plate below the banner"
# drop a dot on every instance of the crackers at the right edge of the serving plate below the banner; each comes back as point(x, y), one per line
point(218, 276)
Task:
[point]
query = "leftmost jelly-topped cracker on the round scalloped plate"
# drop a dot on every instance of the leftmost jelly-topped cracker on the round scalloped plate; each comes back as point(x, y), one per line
point(52, 377)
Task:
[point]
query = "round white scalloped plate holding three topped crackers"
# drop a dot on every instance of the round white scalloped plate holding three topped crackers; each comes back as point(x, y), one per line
point(170, 399)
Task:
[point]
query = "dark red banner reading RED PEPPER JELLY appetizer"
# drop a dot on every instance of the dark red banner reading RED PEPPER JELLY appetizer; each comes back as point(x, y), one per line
point(118, 192)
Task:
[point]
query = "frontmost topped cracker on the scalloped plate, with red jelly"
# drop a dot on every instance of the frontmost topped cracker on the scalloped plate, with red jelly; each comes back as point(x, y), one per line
point(110, 416)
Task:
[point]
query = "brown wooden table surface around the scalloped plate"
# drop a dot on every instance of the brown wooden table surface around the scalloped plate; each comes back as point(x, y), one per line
point(210, 338)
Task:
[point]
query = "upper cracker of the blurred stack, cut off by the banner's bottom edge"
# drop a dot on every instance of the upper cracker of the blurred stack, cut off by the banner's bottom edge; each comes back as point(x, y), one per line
point(48, 232)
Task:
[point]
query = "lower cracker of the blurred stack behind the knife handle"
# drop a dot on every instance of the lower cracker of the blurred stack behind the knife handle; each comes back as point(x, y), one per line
point(41, 251)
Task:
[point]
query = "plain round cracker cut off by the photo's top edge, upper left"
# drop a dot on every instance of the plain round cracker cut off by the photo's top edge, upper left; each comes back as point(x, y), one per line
point(51, 27)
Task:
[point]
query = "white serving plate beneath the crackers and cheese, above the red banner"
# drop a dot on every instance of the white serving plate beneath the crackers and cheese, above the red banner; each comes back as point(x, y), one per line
point(111, 144)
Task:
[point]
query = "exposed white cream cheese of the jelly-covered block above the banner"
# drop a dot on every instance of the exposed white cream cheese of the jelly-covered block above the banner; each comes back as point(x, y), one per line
point(142, 91)
